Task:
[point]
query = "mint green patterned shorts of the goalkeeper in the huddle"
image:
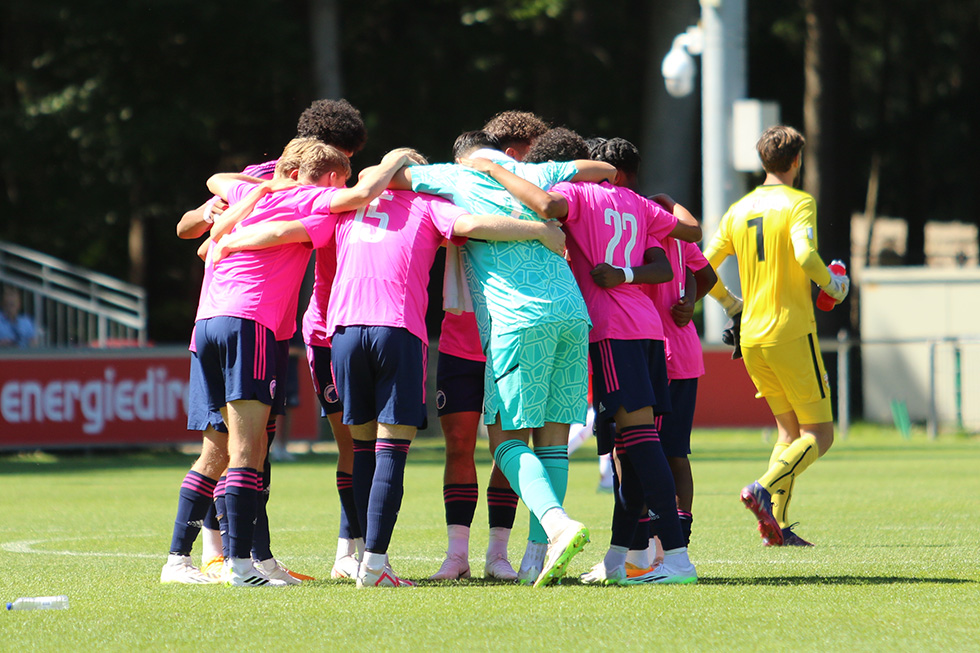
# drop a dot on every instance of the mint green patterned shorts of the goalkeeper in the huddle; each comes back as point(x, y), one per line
point(538, 374)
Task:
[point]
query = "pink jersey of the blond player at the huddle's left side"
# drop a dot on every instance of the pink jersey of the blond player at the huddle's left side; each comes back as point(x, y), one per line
point(263, 285)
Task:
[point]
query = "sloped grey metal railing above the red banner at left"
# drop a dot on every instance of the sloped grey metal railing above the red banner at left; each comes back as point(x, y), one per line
point(72, 306)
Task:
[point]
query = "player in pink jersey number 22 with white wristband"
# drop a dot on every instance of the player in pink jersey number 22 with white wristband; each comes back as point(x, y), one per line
point(614, 240)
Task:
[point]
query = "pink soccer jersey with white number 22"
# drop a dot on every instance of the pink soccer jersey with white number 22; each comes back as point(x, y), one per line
point(611, 224)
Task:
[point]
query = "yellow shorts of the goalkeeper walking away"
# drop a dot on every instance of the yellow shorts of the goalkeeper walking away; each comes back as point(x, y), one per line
point(791, 377)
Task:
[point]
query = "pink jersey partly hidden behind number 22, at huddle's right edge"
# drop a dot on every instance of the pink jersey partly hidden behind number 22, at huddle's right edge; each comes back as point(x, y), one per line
point(682, 344)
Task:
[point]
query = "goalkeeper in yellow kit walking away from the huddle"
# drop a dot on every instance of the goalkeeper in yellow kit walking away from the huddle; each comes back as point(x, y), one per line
point(772, 232)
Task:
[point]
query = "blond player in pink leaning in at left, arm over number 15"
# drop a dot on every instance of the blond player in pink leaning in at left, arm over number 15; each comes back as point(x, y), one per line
point(243, 312)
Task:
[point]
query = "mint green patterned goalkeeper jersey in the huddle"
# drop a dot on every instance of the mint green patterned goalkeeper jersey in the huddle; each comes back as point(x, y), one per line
point(514, 284)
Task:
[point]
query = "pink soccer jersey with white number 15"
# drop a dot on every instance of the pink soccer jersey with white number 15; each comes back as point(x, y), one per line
point(384, 253)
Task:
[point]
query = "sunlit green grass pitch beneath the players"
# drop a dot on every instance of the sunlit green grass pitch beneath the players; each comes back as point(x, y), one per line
point(895, 567)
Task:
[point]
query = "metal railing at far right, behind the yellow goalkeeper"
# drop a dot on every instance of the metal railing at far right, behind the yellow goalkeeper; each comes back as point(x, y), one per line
point(845, 342)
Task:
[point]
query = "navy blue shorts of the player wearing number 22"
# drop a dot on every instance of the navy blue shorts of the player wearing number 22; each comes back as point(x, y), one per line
point(628, 373)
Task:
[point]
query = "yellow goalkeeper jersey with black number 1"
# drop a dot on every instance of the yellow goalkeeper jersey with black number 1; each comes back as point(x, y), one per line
point(772, 232)
